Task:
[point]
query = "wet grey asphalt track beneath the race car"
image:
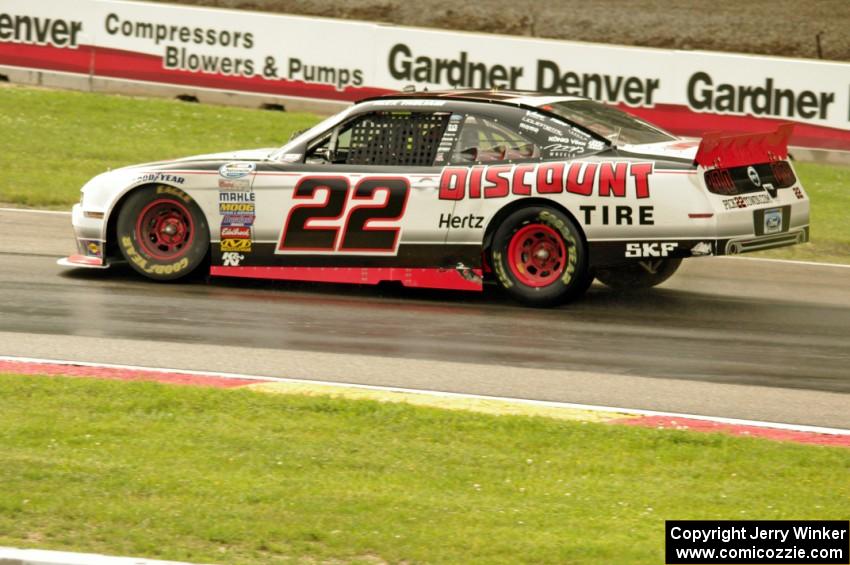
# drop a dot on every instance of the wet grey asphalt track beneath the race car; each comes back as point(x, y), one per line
point(730, 321)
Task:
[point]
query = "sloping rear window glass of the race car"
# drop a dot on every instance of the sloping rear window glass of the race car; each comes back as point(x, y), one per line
point(615, 125)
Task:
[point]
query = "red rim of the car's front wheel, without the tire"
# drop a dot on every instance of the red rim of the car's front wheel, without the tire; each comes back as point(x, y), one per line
point(165, 229)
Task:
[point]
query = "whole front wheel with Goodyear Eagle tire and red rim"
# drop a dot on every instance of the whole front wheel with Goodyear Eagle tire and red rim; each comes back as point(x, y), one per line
point(162, 233)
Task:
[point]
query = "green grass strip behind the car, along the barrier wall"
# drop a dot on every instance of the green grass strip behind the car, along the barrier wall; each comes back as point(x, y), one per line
point(58, 140)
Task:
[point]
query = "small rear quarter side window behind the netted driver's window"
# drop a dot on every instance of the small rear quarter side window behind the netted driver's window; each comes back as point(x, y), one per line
point(486, 141)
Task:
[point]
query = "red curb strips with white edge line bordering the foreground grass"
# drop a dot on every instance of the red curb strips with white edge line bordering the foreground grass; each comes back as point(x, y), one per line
point(627, 416)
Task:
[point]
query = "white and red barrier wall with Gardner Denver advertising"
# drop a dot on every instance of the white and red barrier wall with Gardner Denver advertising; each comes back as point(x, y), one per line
point(314, 63)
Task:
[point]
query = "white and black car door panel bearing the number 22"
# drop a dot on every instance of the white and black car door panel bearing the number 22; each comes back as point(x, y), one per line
point(340, 215)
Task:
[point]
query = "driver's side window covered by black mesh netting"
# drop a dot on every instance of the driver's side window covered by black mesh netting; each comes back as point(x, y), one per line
point(383, 138)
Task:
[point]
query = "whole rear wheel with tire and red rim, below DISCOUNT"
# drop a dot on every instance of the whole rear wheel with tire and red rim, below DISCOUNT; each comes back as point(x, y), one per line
point(539, 257)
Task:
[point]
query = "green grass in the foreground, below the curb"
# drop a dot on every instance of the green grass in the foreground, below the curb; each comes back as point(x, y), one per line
point(239, 476)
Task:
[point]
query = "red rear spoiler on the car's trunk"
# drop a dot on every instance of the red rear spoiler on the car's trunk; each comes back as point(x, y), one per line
point(718, 150)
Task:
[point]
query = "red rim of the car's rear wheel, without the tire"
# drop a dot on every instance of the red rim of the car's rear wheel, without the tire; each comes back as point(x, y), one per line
point(537, 255)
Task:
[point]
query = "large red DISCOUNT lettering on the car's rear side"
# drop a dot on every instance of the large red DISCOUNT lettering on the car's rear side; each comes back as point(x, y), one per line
point(605, 179)
